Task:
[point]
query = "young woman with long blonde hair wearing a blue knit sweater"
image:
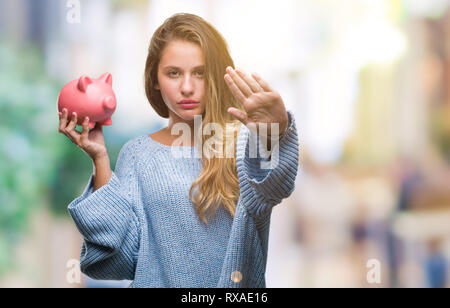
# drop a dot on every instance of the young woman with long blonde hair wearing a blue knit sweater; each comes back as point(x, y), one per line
point(198, 220)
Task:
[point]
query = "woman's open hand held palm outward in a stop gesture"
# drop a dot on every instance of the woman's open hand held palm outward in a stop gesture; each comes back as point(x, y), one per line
point(260, 102)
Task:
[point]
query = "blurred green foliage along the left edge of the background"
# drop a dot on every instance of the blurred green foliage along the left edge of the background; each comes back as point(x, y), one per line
point(31, 148)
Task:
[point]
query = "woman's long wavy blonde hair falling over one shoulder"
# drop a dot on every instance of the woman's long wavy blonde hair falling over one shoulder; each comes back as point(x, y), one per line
point(217, 185)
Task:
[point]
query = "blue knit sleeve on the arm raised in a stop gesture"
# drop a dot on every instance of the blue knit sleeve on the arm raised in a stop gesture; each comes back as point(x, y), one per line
point(266, 181)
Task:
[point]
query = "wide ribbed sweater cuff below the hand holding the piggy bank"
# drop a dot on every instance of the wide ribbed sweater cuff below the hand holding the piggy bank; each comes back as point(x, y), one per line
point(102, 216)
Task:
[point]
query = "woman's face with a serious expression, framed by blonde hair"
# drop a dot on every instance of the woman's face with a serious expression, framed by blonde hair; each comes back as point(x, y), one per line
point(181, 77)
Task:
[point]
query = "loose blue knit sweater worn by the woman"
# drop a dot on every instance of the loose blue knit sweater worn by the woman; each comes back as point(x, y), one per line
point(141, 225)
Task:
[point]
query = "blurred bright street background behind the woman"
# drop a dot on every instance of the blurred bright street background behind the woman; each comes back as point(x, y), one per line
point(367, 80)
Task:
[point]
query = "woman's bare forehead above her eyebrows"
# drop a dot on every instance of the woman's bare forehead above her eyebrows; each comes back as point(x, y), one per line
point(182, 54)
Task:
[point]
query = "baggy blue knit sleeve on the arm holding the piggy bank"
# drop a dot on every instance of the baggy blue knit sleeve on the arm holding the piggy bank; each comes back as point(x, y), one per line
point(107, 220)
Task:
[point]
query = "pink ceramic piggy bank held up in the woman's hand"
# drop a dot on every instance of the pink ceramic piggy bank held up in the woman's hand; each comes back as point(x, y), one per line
point(93, 98)
